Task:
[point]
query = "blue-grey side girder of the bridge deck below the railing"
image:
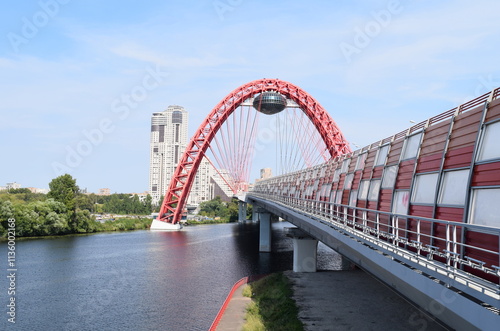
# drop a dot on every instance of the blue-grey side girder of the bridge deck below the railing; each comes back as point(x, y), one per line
point(452, 296)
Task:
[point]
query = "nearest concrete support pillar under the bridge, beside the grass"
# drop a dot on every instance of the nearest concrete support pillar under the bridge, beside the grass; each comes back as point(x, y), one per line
point(305, 250)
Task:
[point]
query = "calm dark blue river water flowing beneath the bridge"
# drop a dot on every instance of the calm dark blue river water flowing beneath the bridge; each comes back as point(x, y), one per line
point(140, 280)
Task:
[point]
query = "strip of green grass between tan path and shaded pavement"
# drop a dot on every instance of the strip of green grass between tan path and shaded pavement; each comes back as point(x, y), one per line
point(272, 307)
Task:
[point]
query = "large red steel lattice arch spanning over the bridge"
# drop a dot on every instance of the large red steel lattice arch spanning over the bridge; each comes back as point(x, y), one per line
point(182, 180)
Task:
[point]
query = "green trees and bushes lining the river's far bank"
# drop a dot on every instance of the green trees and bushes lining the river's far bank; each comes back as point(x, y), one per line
point(67, 210)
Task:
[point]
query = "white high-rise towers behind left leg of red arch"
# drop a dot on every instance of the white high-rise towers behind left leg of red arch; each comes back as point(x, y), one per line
point(169, 138)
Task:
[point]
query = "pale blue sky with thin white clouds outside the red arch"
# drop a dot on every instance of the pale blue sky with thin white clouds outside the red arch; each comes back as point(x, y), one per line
point(68, 69)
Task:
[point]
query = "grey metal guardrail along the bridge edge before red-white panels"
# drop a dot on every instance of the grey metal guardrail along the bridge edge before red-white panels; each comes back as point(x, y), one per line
point(443, 257)
